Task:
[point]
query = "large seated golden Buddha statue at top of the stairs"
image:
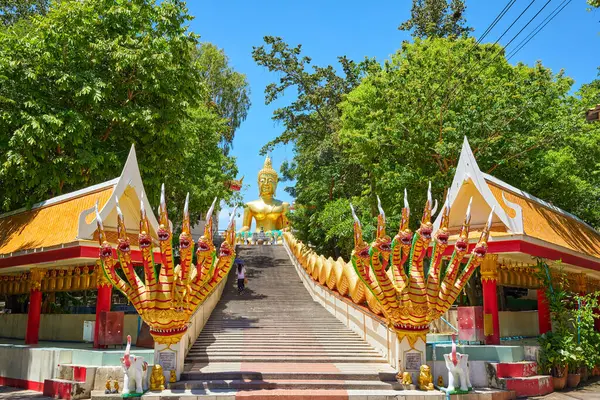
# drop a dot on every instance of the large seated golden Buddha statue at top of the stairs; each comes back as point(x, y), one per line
point(268, 212)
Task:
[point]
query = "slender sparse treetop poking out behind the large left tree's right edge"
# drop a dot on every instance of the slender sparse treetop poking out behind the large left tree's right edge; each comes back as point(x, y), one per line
point(229, 92)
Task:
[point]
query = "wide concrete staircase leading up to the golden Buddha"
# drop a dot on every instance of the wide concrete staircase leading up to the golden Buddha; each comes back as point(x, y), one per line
point(274, 340)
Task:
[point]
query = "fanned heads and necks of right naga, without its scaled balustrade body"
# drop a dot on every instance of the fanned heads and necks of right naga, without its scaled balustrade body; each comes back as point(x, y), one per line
point(408, 300)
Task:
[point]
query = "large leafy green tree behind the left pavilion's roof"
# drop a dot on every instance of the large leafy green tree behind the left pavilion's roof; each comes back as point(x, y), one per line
point(81, 84)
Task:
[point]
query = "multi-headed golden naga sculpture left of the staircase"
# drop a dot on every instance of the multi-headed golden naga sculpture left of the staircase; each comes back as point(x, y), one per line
point(167, 300)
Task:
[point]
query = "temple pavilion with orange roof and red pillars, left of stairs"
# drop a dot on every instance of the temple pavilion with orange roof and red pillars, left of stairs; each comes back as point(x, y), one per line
point(53, 246)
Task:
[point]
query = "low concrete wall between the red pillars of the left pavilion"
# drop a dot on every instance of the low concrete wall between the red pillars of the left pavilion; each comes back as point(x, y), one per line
point(59, 327)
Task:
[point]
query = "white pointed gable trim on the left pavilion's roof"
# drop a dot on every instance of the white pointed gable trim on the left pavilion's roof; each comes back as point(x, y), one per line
point(129, 177)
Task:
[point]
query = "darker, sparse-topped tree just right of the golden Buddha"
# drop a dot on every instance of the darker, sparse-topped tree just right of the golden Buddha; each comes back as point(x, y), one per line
point(311, 122)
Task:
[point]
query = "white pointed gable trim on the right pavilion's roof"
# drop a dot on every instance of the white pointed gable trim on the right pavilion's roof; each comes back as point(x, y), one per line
point(466, 169)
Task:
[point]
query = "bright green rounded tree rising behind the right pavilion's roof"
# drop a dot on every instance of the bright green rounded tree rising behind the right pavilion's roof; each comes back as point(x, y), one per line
point(408, 121)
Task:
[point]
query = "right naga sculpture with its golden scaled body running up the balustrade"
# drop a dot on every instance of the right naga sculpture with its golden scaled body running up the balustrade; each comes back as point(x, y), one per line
point(389, 275)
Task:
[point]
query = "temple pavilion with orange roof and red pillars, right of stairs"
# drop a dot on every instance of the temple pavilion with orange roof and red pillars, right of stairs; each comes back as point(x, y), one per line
point(525, 229)
